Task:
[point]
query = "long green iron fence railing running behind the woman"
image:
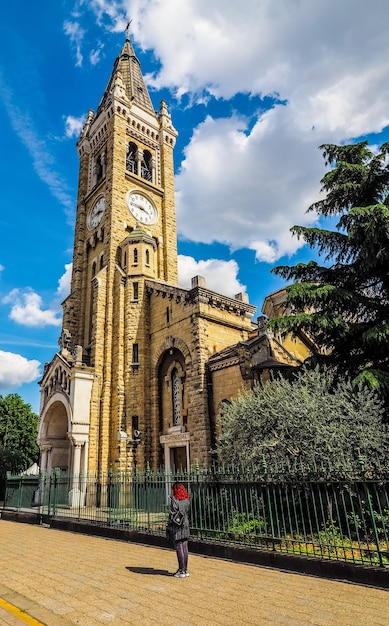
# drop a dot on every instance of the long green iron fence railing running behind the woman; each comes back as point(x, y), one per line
point(329, 518)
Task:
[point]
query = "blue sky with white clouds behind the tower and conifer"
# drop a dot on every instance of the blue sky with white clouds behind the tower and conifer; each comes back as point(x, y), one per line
point(253, 89)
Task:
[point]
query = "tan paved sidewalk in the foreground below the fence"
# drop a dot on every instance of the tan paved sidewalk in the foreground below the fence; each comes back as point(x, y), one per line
point(63, 578)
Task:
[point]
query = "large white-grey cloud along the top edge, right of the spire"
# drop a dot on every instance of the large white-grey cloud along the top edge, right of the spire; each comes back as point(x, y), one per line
point(270, 46)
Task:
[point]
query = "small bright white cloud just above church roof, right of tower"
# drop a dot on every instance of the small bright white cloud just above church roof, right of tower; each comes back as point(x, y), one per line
point(220, 276)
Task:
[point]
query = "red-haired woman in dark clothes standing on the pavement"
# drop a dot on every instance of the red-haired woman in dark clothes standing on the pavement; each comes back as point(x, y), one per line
point(177, 529)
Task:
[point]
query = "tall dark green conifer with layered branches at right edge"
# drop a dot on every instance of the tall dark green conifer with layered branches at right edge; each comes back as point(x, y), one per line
point(343, 305)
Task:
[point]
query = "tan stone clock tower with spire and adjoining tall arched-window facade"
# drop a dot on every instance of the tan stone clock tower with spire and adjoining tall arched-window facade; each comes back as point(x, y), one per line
point(134, 345)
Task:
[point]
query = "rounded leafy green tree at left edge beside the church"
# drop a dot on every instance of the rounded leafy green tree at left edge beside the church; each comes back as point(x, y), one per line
point(18, 432)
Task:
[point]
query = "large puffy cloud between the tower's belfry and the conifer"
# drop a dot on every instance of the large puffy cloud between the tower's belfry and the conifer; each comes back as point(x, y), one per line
point(253, 187)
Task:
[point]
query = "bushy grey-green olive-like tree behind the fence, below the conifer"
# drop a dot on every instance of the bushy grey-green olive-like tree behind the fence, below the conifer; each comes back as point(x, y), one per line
point(313, 417)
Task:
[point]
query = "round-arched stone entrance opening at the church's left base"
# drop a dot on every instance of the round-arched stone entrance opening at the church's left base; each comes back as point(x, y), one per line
point(53, 438)
